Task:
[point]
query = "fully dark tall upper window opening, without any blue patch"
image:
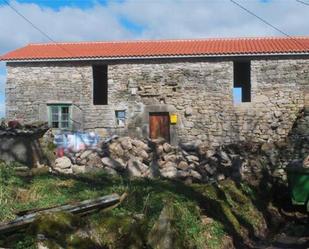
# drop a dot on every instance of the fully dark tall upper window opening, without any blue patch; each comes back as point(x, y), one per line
point(100, 86)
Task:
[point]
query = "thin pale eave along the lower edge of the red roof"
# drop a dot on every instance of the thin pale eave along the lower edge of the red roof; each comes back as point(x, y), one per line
point(153, 57)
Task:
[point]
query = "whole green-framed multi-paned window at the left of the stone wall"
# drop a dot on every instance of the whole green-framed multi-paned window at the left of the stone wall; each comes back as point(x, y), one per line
point(59, 116)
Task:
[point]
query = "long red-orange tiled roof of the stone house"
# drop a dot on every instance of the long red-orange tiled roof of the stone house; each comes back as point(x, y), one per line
point(160, 48)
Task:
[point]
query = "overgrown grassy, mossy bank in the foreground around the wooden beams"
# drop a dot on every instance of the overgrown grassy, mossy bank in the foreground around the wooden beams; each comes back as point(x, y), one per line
point(199, 216)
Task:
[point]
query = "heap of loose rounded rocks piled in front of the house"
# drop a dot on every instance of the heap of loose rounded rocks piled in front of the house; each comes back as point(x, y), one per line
point(152, 158)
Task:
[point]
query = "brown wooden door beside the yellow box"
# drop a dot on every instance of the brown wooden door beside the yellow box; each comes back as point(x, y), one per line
point(159, 125)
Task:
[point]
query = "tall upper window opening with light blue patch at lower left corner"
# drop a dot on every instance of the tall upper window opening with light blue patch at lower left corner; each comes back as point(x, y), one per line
point(242, 82)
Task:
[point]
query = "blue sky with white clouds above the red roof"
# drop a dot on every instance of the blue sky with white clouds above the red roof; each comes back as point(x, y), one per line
point(82, 20)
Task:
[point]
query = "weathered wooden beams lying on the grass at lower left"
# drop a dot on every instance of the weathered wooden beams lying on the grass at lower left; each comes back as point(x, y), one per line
point(82, 207)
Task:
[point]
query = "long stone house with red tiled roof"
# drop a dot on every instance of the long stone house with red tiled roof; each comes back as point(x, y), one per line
point(183, 90)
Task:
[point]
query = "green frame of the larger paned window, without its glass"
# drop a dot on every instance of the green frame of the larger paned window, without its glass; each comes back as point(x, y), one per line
point(60, 114)
